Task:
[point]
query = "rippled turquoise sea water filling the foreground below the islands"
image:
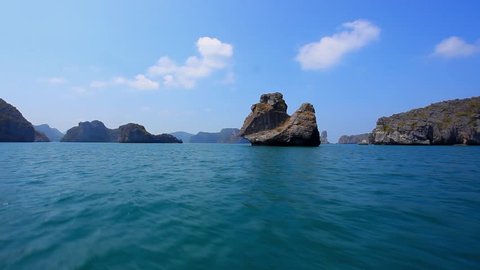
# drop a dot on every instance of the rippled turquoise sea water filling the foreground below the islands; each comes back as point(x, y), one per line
point(213, 206)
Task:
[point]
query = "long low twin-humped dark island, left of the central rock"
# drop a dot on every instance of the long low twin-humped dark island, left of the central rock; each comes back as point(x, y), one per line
point(96, 131)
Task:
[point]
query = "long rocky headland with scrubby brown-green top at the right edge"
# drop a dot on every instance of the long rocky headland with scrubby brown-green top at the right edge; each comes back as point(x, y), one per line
point(444, 123)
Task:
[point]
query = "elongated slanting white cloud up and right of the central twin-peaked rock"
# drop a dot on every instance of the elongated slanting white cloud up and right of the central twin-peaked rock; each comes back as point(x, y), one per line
point(329, 50)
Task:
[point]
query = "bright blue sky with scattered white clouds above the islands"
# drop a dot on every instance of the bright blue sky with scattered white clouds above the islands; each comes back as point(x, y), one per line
point(199, 65)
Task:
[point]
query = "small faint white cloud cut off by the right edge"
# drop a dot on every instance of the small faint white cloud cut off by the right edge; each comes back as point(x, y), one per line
point(455, 47)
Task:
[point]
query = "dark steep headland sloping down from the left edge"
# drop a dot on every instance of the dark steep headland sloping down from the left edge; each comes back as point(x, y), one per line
point(13, 126)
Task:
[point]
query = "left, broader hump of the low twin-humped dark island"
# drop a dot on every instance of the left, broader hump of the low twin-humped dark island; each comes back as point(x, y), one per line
point(94, 131)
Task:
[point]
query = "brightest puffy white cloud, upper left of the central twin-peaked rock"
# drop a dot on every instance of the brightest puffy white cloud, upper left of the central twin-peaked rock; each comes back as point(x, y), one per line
point(214, 55)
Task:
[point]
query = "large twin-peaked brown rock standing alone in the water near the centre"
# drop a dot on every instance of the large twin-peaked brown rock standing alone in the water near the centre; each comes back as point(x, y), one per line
point(269, 124)
